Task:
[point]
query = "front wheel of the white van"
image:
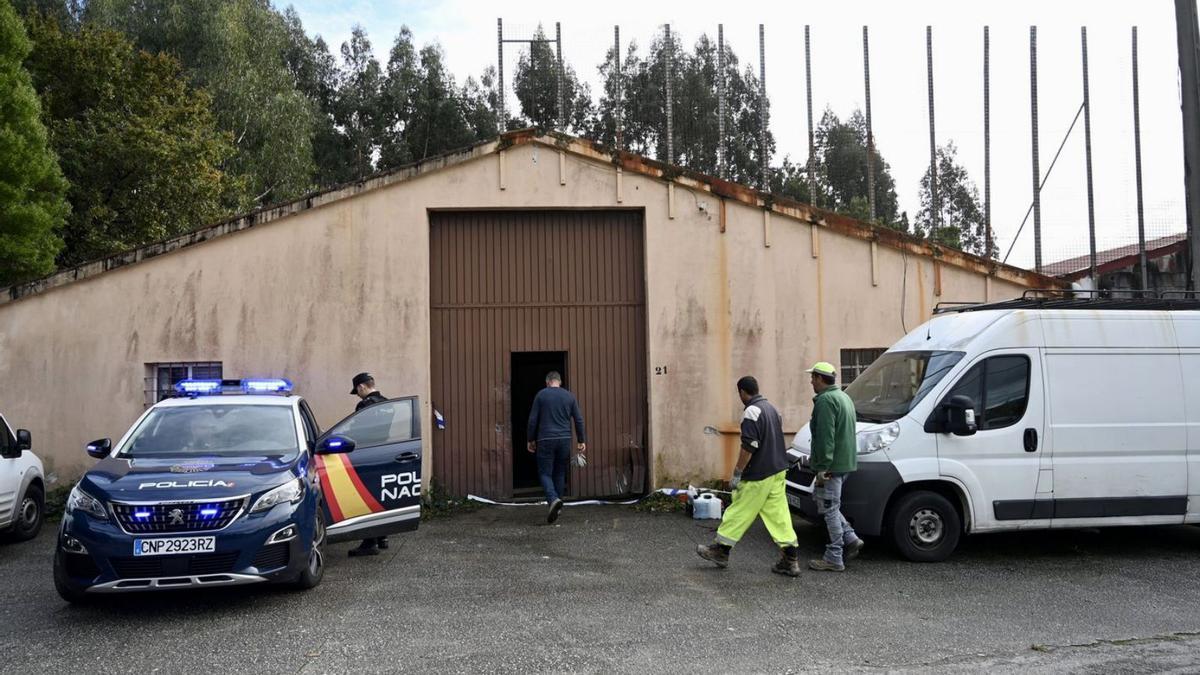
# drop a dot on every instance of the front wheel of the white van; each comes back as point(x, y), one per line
point(926, 527)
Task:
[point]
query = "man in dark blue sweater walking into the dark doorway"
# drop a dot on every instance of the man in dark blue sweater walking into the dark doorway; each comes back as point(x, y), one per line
point(550, 437)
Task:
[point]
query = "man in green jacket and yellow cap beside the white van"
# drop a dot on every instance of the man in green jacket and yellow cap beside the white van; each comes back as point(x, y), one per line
point(835, 457)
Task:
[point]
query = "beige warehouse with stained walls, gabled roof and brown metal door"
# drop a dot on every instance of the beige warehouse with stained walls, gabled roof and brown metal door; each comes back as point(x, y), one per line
point(463, 280)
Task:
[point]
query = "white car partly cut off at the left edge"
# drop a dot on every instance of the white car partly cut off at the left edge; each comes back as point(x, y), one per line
point(22, 486)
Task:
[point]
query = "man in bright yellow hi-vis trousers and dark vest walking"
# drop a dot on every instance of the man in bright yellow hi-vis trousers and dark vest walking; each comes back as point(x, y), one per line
point(759, 488)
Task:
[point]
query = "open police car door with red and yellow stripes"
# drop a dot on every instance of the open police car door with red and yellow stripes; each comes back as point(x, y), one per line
point(375, 488)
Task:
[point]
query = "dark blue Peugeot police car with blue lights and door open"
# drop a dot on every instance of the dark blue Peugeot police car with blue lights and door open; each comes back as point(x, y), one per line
point(232, 482)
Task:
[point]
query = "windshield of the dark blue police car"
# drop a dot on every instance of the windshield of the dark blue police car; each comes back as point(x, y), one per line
point(214, 431)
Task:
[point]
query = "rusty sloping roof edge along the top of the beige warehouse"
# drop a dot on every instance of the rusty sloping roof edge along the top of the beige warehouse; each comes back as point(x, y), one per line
point(627, 162)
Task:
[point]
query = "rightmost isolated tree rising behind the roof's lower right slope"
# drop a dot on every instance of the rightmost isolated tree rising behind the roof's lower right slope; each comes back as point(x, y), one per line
point(961, 223)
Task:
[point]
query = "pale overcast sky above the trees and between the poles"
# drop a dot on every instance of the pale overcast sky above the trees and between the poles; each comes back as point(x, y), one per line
point(467, 33)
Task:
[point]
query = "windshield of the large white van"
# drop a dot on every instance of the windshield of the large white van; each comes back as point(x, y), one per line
point(897, 383)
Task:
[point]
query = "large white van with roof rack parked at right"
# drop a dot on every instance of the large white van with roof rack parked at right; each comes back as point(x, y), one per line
point(1025, 415)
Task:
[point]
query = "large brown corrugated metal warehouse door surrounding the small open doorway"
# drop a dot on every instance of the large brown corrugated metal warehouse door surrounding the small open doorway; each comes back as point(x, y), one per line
point(538, 282)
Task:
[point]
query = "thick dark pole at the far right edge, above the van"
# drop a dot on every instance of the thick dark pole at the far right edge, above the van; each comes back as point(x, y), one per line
point(1189, 37)
